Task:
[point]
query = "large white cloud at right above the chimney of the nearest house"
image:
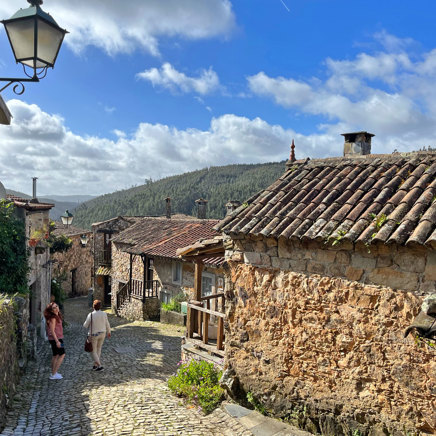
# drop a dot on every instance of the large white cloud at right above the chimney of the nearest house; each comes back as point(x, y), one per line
point(389, 93)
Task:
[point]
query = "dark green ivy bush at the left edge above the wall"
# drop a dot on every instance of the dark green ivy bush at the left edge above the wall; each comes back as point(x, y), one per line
point(14, 267)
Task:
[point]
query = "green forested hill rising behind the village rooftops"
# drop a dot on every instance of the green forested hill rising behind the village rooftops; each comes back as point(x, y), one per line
point(218, 185)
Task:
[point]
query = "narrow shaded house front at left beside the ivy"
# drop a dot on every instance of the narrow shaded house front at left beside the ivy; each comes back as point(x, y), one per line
point(35, 218)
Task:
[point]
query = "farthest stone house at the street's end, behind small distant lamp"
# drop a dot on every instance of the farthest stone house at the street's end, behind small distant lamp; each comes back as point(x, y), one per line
point(74, 266)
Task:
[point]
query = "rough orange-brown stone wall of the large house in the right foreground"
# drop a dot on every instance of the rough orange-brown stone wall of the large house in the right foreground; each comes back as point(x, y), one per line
point(315, 333)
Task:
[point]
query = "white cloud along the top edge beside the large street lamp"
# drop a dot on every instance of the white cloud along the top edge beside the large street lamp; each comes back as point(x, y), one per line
point(122, 27)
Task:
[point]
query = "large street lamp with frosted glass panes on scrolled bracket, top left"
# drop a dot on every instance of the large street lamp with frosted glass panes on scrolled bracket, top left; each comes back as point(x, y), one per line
point(35, 38)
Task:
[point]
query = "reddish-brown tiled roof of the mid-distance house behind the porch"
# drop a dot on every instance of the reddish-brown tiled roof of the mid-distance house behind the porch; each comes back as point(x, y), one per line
point(162, 236)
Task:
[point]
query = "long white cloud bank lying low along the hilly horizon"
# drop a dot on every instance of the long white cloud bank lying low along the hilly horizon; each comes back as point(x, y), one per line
point(39, 144)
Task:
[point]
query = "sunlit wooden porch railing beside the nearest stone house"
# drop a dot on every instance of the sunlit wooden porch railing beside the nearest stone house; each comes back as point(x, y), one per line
point(197, 322)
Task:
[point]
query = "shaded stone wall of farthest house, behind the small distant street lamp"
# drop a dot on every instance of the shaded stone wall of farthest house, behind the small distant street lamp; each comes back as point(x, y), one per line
point(77, 261)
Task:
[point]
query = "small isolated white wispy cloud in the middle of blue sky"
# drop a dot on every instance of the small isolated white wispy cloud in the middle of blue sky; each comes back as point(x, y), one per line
point(168, 77)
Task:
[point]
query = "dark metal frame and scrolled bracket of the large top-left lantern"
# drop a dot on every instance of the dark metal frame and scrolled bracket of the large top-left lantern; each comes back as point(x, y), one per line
point(38, 73)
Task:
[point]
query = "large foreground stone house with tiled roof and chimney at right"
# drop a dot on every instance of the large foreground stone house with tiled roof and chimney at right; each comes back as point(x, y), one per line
point(328, 266)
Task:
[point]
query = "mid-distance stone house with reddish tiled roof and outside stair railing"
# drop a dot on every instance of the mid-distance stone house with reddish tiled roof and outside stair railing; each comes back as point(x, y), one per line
point(145, 264)
